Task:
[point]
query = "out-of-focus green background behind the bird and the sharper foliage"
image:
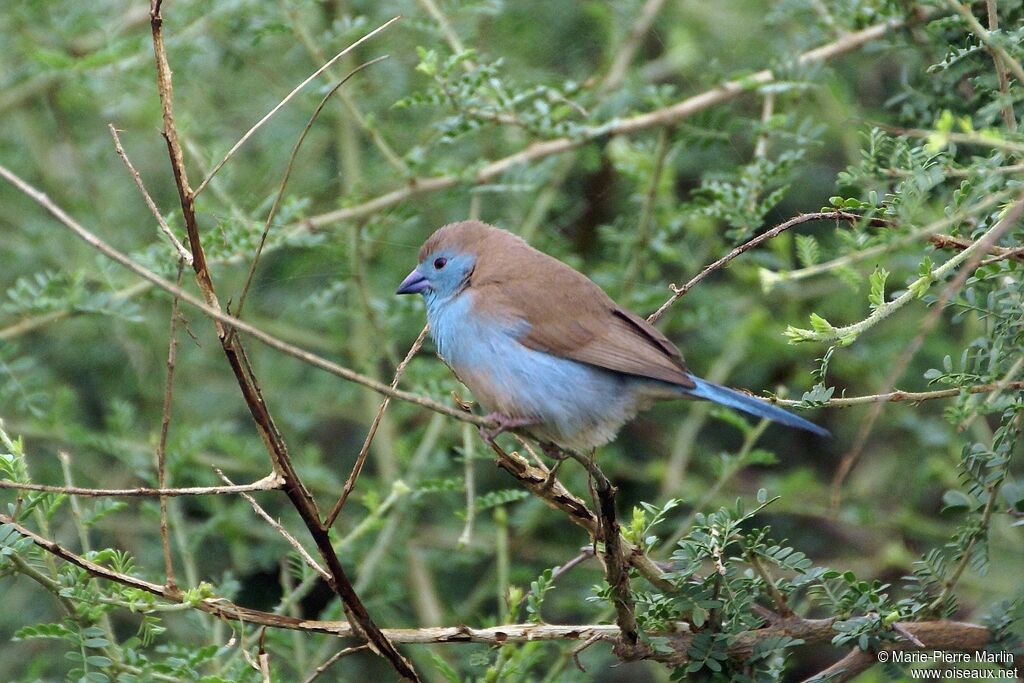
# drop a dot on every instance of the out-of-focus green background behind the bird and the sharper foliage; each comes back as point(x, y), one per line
point(83, 350)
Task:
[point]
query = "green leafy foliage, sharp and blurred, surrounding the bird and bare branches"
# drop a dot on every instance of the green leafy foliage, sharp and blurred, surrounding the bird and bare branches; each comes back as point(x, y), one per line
point(912, 133)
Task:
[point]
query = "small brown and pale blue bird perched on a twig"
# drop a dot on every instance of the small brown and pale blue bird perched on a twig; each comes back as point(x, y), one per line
point(545, 350)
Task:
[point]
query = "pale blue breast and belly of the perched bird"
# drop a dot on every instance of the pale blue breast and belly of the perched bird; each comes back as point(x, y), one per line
point(578, 406)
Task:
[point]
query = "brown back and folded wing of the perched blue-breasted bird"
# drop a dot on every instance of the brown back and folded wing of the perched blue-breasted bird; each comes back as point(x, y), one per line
point(571, 317)
